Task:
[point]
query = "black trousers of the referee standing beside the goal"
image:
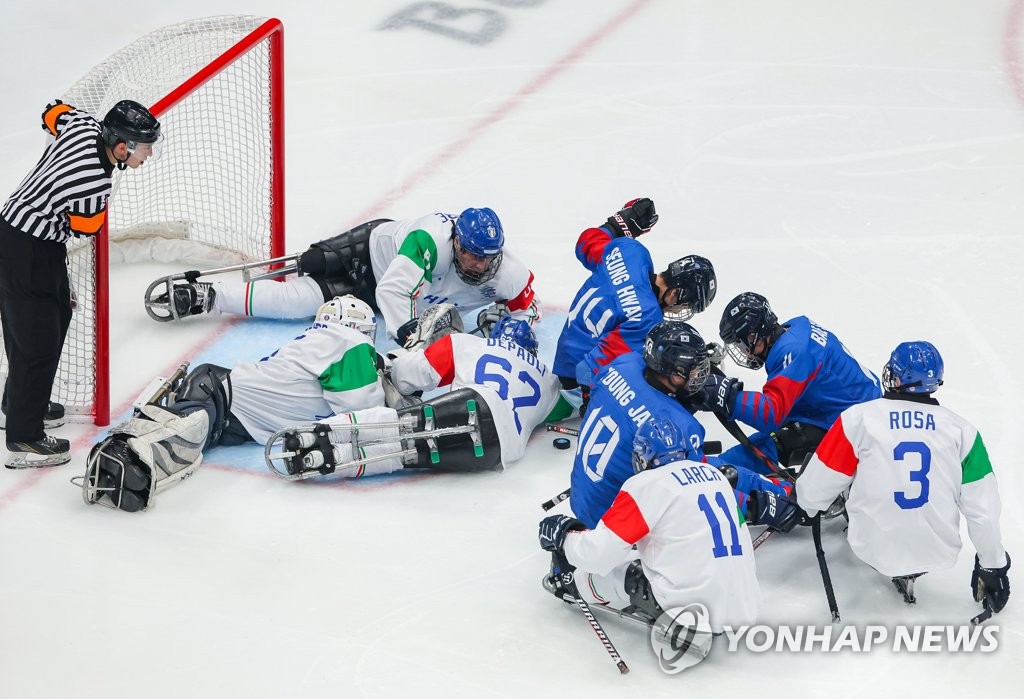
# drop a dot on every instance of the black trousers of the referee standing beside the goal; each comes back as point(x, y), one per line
point(35, 311)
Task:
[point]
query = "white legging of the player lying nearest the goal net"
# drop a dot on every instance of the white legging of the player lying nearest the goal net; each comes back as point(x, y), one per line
point(297, 297)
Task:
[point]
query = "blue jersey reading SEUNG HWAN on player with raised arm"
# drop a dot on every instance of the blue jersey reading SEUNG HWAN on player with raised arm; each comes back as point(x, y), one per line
point(614, 311)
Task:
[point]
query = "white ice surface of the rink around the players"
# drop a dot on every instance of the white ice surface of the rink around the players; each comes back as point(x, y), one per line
point(856, 162)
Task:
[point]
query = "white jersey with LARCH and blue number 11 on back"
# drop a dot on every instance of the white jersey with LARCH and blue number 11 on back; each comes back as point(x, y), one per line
point(693, 543)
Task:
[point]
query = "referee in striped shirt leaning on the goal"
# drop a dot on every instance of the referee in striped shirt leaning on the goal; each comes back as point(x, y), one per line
point(64, 196)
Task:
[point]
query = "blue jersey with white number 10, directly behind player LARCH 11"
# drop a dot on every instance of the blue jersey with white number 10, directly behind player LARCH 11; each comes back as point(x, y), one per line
point(621, 402)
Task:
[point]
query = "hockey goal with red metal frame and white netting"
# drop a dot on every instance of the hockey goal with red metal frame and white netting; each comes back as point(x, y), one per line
point(215, 196)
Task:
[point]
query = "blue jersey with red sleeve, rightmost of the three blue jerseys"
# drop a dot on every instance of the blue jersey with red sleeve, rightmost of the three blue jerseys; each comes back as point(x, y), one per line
point(812, 378)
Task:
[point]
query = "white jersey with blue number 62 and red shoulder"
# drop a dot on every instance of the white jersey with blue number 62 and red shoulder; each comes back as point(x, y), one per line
point(521, 391)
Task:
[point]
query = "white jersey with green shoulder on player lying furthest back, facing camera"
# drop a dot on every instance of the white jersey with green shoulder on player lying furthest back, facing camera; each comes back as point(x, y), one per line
point(413, 264)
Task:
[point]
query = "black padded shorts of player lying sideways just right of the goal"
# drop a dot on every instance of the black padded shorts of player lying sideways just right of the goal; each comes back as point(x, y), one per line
point(342, 265)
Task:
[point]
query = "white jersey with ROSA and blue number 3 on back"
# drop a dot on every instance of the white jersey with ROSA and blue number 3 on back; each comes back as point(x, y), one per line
point(912, 467)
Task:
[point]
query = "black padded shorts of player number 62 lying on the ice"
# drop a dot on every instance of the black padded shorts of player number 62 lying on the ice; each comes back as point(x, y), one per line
point(457, 453)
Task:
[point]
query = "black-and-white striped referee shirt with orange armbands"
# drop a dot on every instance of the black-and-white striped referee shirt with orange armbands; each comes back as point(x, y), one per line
point(66, 194)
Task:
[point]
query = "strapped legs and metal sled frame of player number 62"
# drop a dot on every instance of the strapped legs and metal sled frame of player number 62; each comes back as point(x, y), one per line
point(453, 433)
